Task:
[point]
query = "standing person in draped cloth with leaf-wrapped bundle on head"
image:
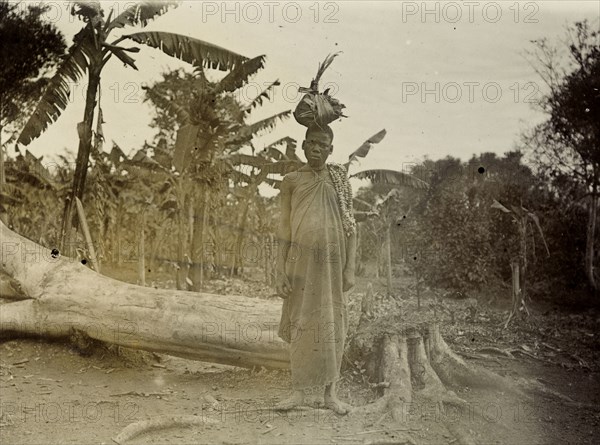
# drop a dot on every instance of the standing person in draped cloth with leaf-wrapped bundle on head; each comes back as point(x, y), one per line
point(317, 258)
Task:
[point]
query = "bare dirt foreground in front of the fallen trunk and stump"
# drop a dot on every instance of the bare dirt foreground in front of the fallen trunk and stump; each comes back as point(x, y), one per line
point(60, 396)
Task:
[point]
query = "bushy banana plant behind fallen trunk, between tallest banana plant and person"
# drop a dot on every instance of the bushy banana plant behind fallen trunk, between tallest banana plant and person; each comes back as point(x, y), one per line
point(212, 129)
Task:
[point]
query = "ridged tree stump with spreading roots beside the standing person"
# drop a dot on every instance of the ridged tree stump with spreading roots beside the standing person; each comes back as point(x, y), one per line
point(408, 358)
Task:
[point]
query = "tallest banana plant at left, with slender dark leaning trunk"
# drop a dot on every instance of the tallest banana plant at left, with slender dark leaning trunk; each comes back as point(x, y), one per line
point(91, 50)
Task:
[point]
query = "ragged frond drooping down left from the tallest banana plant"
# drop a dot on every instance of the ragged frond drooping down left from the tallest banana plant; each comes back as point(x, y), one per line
point(56, 96)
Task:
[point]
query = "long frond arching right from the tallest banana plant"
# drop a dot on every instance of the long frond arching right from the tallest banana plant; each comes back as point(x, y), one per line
point(190, 50)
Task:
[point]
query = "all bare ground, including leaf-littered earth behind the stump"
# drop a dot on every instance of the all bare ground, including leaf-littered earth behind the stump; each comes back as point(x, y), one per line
point(82, 393)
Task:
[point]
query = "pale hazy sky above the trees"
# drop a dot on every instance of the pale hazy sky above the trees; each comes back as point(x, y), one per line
point(388, 48)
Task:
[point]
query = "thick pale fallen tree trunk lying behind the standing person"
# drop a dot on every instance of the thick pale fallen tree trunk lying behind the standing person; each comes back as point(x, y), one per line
point(59, 297)
